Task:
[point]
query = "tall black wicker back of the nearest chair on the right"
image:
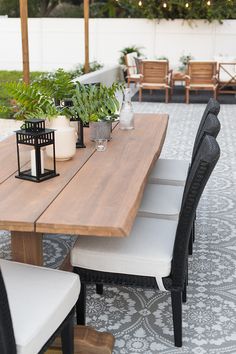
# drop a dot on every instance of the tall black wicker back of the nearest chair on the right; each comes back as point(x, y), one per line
point(204, 163)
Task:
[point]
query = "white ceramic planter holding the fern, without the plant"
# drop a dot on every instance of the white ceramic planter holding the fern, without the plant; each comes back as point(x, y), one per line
point(65, 139)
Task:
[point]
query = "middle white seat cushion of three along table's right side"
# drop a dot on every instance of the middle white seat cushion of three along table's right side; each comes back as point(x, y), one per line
point(161, 201)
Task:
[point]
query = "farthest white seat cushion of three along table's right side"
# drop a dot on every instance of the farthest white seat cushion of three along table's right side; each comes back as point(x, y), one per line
point(168, 171)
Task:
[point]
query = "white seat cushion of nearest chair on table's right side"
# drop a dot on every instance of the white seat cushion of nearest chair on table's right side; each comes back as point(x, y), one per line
point(147, 251)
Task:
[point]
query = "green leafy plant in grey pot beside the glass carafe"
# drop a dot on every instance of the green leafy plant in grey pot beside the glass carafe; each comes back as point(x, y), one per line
point(97, 105)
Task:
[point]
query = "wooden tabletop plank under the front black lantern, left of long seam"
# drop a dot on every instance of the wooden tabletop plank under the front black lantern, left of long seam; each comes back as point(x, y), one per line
point(22, 202)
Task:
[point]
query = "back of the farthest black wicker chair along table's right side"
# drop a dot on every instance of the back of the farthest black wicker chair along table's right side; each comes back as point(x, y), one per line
point(213, 107)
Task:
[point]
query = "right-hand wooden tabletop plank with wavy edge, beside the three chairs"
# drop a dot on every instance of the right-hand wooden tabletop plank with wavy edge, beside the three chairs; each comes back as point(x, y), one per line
point(104, 196)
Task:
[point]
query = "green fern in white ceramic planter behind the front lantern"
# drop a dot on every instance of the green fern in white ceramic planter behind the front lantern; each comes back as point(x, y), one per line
point(44, 98)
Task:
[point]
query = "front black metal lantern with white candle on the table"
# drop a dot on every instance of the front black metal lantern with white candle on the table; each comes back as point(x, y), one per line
point(32, 139)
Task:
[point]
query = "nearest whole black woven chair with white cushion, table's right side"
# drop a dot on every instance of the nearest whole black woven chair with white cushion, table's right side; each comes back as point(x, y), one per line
point(155, 255)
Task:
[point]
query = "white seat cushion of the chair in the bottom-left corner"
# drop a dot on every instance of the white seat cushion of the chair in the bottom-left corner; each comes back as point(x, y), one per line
point(39, 300)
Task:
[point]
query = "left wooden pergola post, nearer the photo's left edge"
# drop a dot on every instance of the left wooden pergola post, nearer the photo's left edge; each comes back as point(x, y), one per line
point(24, 36)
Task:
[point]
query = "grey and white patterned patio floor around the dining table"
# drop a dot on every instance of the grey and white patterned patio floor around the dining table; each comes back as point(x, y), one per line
point(141, 320)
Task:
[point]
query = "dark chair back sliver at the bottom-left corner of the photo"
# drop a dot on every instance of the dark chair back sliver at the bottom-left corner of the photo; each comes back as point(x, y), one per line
point(7, 339)
